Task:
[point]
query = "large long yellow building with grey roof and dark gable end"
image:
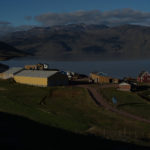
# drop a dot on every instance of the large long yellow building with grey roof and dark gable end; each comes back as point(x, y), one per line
point(41, 78)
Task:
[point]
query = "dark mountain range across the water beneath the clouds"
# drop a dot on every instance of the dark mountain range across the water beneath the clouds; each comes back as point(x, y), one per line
point(83, 42)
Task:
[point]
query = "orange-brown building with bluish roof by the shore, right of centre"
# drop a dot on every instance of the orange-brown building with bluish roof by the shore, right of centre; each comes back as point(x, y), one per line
point(100, 78)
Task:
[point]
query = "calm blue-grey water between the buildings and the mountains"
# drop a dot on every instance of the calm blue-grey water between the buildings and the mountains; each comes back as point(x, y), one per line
point(112, 68)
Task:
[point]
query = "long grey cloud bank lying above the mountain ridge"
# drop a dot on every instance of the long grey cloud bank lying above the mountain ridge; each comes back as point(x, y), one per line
point(111, 18)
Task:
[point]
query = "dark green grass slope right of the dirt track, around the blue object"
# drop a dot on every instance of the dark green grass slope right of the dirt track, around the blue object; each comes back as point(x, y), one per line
point(128, 101)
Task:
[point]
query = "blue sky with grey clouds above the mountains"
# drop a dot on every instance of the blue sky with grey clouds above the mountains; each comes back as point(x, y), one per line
point(24, 13)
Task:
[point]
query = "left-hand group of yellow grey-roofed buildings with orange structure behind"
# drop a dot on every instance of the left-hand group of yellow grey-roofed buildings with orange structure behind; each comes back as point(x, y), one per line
point(36, 76)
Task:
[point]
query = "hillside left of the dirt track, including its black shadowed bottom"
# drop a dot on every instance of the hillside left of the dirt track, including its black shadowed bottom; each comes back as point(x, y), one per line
point(70, 109)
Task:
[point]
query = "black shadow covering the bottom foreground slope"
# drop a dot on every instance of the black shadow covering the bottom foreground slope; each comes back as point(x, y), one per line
point(20, 133)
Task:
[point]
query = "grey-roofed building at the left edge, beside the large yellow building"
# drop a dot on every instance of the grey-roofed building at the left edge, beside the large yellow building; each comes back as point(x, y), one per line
point(10, 72)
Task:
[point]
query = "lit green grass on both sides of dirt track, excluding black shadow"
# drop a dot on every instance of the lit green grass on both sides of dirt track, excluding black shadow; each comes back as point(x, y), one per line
point(72, 109)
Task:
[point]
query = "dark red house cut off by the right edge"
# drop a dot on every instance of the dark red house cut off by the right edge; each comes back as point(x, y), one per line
point(144, 76)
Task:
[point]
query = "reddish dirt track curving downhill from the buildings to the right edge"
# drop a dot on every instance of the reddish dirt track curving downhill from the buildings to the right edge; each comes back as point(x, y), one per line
point(97, 97)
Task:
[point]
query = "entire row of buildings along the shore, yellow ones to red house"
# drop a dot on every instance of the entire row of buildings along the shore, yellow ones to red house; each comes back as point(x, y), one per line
point(41, 75)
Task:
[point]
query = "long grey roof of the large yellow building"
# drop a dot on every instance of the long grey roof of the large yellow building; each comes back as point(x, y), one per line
point(36, 73)
